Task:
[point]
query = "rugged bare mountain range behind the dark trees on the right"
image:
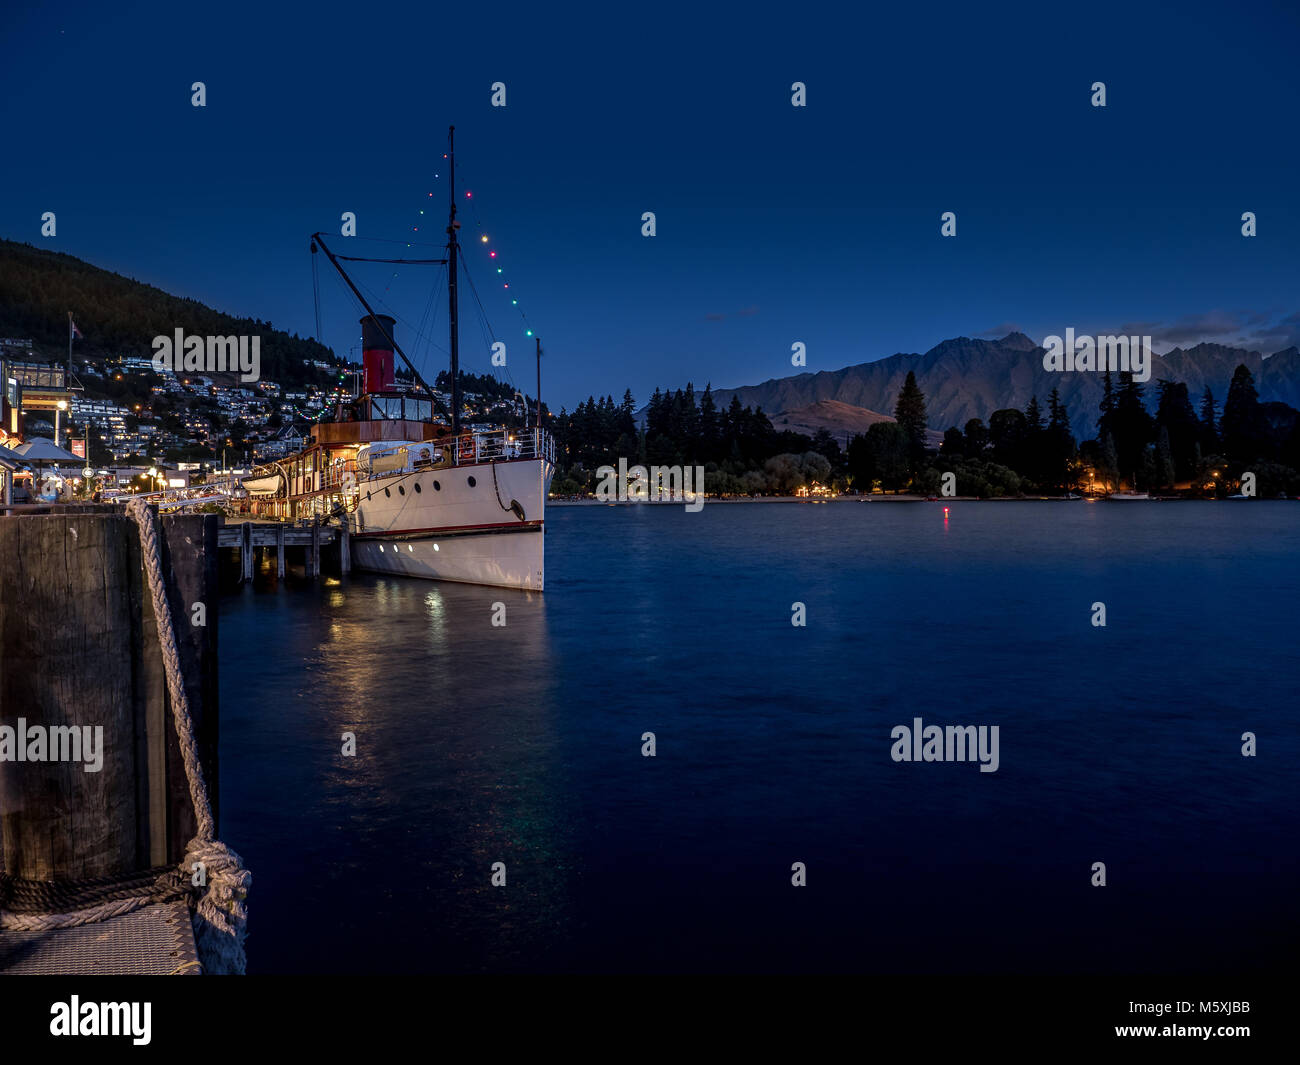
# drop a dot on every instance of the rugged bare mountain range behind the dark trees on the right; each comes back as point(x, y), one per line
point(965, 379)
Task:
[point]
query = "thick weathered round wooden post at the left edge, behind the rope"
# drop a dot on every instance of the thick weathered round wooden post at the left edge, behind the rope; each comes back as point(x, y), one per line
point(70, 627)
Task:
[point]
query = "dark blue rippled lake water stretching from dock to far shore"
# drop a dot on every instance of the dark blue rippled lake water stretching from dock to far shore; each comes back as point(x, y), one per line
point(480, 744)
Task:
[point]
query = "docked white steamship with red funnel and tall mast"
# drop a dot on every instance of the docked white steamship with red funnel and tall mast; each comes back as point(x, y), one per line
point(421, 496)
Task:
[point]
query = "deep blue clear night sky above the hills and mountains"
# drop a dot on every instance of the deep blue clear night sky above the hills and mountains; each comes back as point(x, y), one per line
point(775, 224)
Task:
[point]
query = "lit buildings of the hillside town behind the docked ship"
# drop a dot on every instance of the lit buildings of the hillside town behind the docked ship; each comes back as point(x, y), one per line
point(119, 425)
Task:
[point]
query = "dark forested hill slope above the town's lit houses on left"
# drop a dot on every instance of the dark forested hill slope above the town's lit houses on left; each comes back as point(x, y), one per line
point(120, 317)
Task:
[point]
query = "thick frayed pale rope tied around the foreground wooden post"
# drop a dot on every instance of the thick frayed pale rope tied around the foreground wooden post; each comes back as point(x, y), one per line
point(220, 919)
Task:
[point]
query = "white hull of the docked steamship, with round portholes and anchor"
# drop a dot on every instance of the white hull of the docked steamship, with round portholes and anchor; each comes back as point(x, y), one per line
point(480, 523)
